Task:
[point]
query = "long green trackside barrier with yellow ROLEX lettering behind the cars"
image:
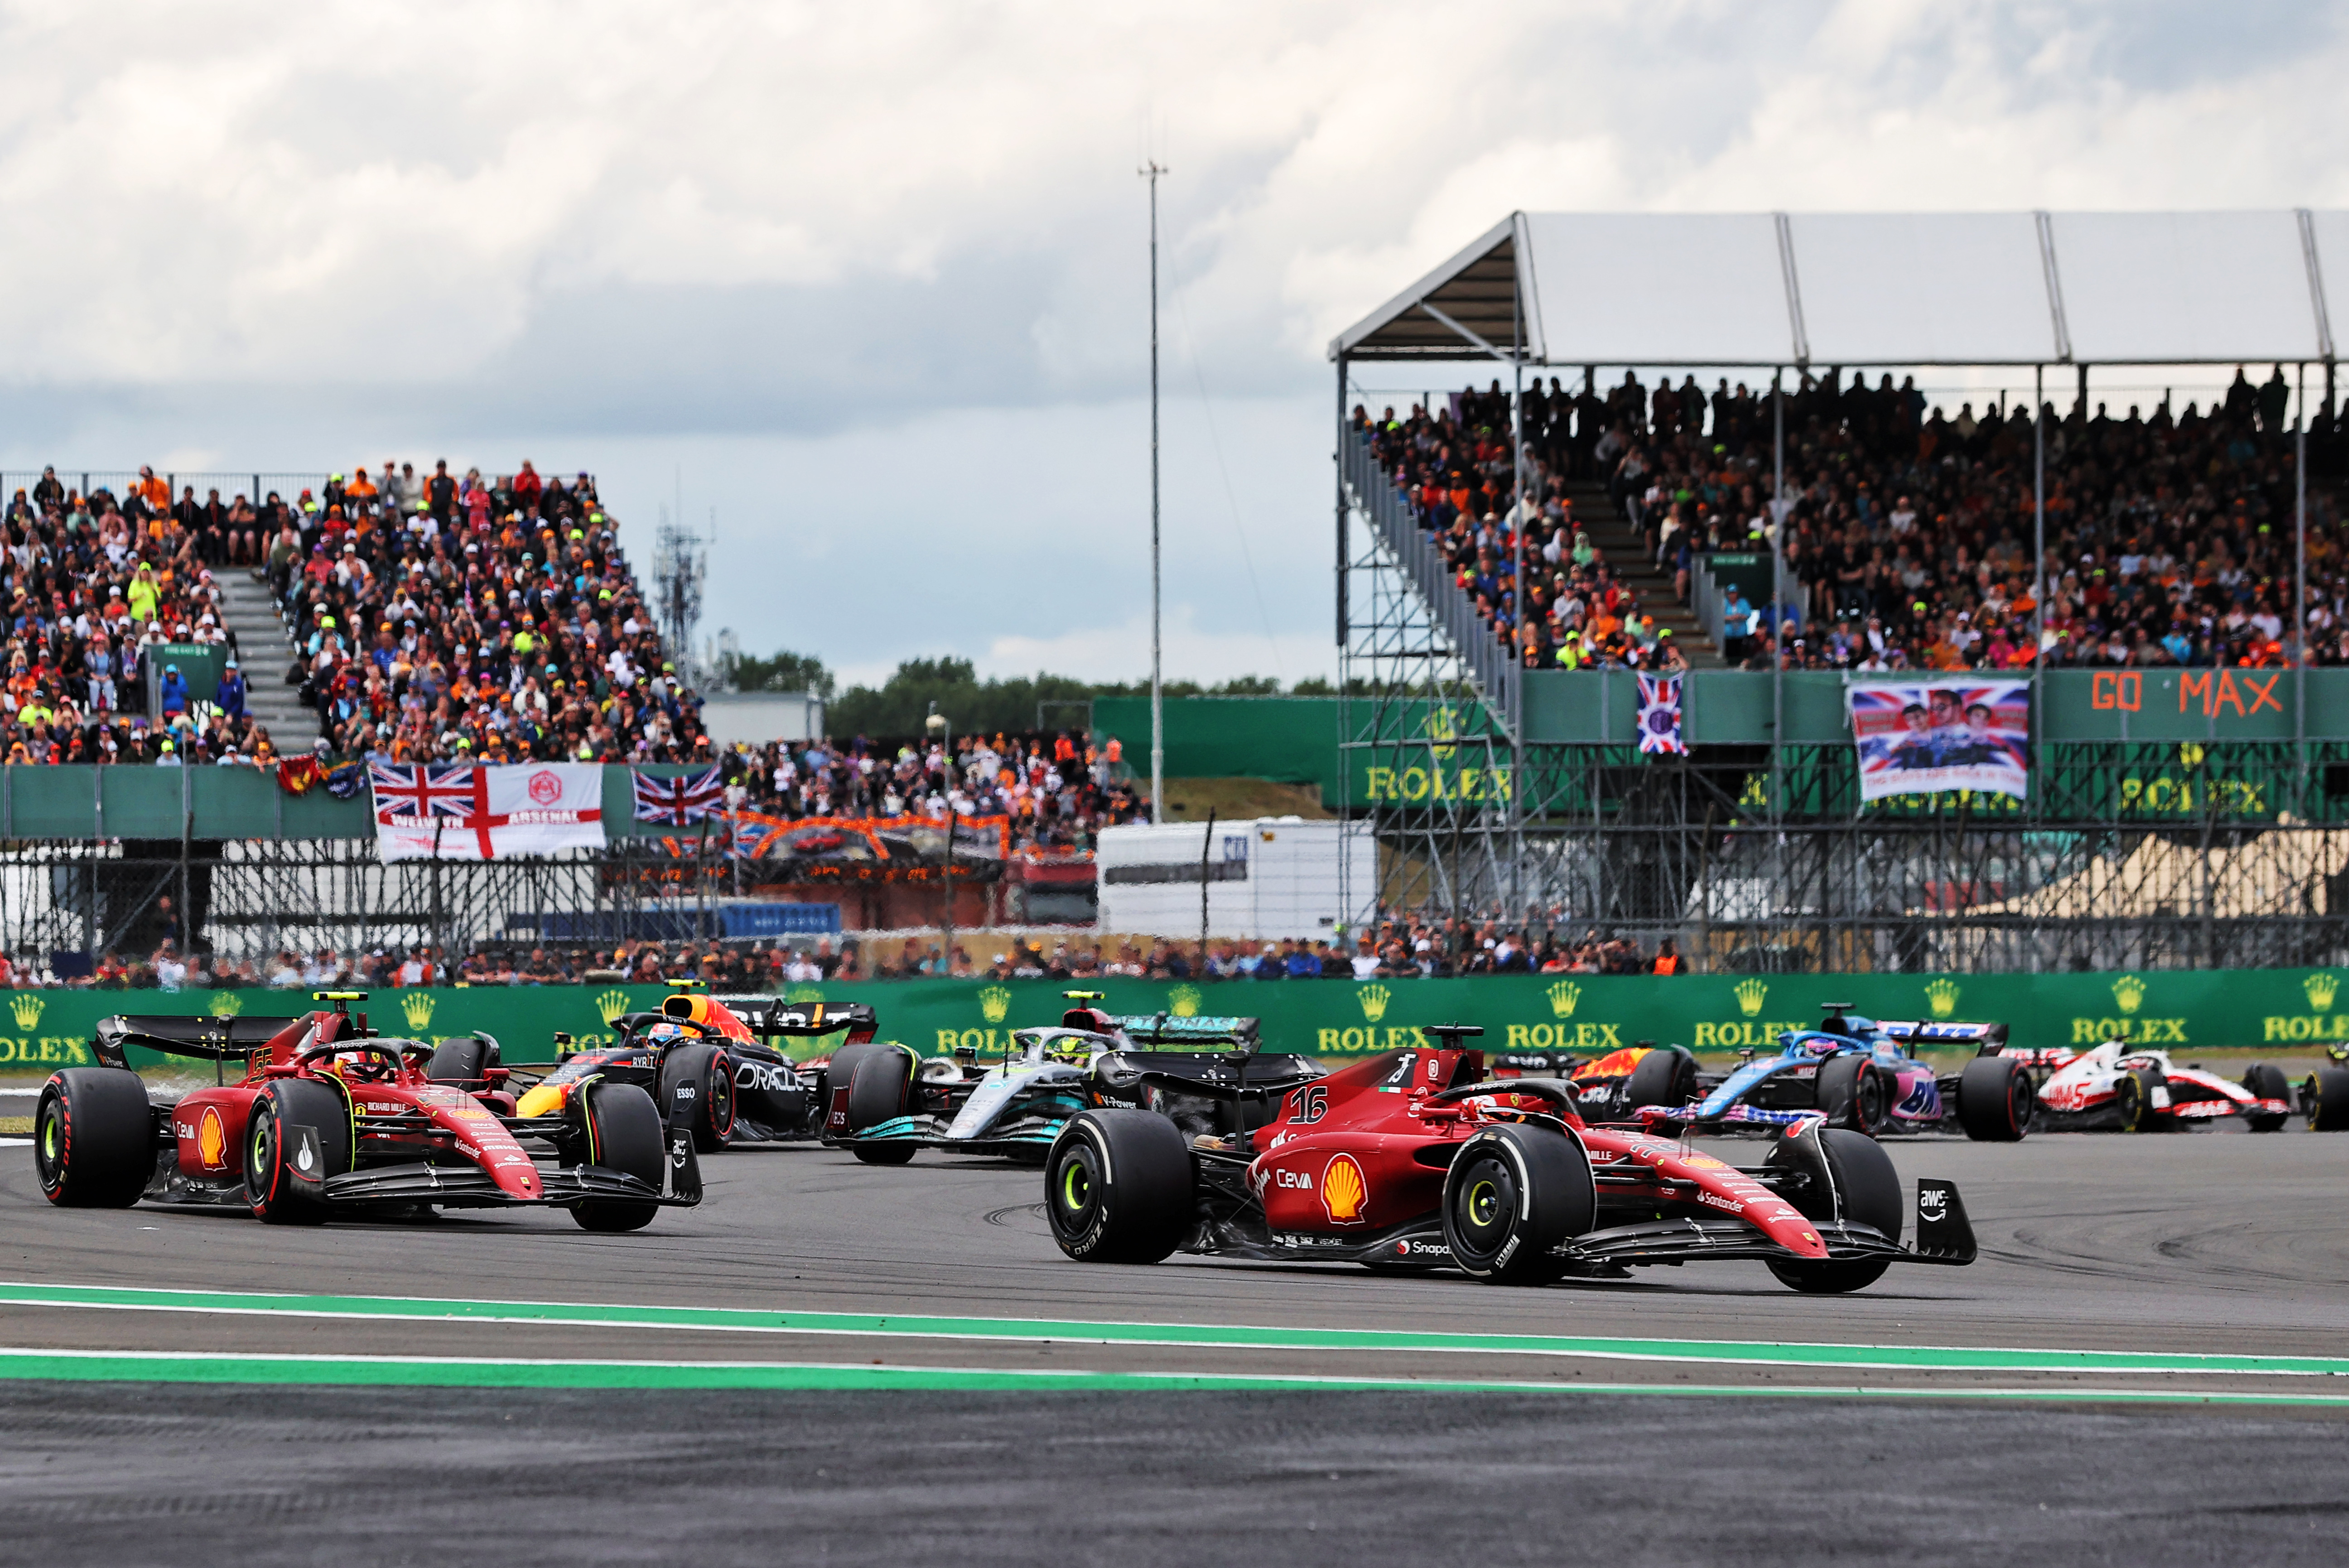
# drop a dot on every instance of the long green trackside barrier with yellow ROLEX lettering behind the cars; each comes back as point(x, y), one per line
point(2287, 1011)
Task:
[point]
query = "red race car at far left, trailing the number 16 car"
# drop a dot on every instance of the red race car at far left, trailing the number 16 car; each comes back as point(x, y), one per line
point(330, 1118)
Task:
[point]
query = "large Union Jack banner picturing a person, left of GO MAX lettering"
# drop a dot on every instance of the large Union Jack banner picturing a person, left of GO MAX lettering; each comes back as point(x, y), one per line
point(1920, 738)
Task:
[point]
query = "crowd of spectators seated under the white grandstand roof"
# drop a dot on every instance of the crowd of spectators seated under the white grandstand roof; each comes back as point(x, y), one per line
point(1909, 532)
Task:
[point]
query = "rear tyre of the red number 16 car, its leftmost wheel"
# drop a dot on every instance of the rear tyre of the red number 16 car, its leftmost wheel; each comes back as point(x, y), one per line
point(1119, 1187)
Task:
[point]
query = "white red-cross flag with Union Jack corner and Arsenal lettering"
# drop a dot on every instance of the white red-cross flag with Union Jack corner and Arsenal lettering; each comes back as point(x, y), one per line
point(480, 811)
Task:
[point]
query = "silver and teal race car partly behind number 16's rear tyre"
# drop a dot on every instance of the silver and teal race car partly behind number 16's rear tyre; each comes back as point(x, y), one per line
point(889, 1104)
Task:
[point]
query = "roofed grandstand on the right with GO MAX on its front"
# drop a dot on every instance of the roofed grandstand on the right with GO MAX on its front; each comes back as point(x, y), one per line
point(1801, 518)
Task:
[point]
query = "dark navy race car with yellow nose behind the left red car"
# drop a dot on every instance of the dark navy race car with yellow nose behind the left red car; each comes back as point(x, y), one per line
point(748, 1090)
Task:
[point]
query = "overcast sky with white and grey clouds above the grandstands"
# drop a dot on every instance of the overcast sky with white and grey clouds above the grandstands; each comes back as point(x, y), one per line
point(870, 281)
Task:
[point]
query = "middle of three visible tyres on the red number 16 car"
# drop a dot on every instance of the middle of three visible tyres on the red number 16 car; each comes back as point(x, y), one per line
point(1512, 1196)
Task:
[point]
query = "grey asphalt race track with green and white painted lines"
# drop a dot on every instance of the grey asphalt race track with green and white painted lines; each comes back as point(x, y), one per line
point(887, 1365)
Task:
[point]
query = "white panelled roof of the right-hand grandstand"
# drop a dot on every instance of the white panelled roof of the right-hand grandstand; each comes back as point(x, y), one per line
point(1876, 290)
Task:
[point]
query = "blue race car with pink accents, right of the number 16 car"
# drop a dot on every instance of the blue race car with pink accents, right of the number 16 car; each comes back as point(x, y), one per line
point(1864, 1076)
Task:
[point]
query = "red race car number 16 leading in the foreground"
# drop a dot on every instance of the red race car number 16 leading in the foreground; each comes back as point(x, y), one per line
point(1420, 1161)
